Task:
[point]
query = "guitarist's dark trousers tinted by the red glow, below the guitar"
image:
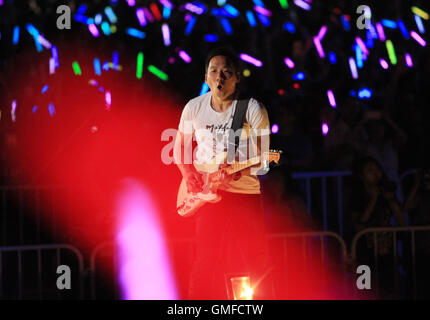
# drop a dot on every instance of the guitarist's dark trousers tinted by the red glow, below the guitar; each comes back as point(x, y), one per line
point(230, 239)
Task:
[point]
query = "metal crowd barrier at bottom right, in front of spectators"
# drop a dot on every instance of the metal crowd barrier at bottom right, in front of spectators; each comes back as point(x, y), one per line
point(394, 231)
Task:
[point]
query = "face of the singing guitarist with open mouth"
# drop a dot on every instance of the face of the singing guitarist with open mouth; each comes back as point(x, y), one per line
point(221, 77)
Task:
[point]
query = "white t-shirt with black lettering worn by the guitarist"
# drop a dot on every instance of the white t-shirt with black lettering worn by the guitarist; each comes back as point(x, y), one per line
point(211, 129)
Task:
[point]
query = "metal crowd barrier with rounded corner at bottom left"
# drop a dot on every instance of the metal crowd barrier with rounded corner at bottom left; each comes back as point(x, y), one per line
point(25, 276)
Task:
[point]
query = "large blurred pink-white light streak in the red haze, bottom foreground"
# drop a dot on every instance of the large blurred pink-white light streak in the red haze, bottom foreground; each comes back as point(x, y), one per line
point(145, 272)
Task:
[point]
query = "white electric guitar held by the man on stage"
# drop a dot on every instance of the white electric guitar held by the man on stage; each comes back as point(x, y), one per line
point(189, 203)
